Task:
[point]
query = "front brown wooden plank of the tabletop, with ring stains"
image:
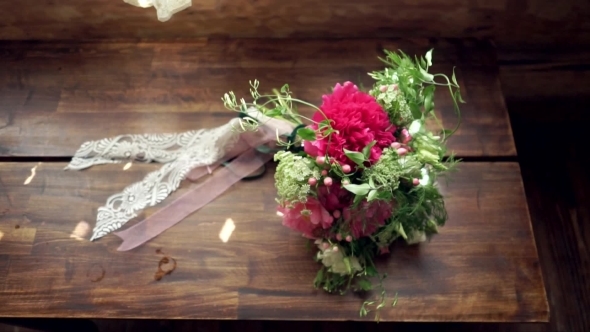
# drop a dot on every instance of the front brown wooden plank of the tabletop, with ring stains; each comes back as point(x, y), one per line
point(482, 267)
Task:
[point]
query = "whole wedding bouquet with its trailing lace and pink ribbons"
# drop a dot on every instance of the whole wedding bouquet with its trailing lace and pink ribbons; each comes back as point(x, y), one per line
point(354, 177)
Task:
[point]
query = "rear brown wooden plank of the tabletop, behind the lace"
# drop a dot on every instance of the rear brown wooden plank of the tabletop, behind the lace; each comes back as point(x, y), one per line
point(54, 97)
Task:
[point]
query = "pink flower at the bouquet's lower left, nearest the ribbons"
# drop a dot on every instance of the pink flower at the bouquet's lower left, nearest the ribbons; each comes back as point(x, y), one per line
point(310, 224)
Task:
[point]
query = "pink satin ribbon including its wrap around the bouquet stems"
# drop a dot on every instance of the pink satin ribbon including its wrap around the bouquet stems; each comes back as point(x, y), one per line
point(248, 161)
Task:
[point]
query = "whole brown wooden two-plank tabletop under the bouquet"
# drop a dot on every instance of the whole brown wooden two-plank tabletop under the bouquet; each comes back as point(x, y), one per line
point(53, 97)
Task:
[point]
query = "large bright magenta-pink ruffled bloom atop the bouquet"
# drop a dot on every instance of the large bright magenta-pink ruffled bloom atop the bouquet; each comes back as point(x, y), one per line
point(358, 120)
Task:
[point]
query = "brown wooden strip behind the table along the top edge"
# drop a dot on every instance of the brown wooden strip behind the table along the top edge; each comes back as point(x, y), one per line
point(514, 22)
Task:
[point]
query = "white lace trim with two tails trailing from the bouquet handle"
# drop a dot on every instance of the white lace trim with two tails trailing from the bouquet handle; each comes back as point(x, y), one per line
point(180, 153)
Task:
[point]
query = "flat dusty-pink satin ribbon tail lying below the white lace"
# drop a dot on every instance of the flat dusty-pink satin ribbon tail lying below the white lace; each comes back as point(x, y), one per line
point(217, 184)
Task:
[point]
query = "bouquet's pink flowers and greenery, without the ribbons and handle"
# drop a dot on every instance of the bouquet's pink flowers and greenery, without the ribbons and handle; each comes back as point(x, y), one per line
point(361, 172)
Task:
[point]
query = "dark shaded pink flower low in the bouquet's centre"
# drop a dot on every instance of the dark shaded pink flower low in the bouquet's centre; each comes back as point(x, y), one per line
point(367, 218)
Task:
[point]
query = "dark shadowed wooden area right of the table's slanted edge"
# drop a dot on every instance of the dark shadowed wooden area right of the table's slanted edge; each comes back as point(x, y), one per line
point(558, 193)
